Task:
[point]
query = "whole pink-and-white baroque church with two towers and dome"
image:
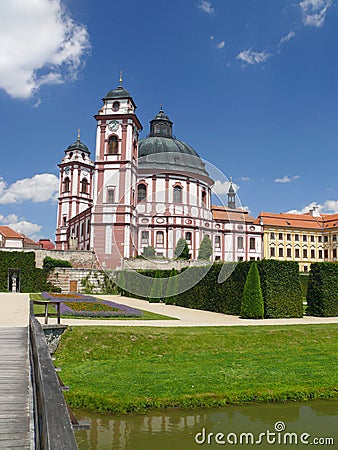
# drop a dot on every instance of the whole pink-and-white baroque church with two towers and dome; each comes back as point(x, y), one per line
point(136, 193)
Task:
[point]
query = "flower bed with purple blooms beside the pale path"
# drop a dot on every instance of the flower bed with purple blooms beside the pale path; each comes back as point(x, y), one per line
point(79, 305)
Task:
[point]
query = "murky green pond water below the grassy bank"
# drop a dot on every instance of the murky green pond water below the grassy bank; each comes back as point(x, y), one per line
point(286, 426)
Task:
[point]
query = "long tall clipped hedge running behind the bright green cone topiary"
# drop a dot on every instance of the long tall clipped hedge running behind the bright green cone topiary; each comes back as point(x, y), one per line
point(280, 285)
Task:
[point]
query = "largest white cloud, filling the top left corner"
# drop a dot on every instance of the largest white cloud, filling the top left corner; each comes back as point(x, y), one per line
point(40, 44)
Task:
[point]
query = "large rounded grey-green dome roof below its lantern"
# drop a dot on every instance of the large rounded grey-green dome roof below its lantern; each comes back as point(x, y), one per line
point(169, 154)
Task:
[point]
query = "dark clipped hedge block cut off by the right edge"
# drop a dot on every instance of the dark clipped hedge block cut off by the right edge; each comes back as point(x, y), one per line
point(322, 294)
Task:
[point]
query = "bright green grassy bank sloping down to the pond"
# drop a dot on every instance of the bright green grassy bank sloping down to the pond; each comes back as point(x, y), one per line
point(134, 369)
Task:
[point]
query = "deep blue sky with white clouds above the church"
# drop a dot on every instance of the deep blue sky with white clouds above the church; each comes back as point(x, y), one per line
point(252, 85)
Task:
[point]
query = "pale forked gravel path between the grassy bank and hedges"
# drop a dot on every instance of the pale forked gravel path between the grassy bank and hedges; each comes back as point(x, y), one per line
point(187, 317)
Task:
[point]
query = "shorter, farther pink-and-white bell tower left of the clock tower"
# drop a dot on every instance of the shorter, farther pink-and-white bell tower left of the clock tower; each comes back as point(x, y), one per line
point(75, 188)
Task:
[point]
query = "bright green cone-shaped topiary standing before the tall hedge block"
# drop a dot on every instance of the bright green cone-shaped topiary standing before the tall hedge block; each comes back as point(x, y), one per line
point(252, 306)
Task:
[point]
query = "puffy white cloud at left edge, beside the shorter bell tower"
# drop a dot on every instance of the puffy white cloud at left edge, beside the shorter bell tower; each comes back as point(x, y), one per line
point(40, 188)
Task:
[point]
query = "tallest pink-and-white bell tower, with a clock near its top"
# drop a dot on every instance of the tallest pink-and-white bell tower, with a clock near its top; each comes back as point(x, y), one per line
point(113, 229)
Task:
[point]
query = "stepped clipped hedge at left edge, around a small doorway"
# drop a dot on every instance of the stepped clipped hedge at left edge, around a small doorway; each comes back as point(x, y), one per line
point(31, 278)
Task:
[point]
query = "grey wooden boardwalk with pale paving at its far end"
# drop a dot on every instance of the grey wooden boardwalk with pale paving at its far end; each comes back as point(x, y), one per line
point(14, 375)
